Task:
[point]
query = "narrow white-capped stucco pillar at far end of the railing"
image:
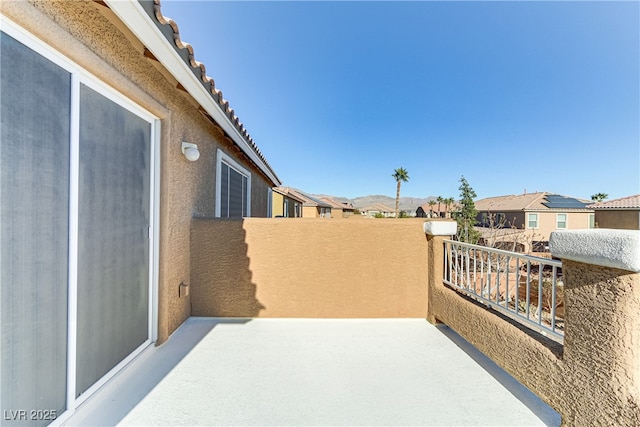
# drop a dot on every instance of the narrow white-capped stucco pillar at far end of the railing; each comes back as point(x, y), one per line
point(437, 231)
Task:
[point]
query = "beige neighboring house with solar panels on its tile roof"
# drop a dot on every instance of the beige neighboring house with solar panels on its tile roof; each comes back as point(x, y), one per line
point(536, 215)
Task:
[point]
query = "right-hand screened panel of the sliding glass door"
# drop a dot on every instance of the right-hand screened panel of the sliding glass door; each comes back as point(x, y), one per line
point(113, 239)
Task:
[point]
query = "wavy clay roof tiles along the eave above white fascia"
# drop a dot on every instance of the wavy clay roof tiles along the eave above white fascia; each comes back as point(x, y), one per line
point(170, 30)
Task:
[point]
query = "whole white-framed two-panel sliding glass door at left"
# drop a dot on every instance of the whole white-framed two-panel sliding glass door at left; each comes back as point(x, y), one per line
point(76, 217)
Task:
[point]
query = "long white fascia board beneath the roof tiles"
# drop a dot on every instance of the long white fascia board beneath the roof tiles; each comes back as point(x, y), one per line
point(136, 19)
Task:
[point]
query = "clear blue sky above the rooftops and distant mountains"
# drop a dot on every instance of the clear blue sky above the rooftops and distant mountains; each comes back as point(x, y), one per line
point(515, 96)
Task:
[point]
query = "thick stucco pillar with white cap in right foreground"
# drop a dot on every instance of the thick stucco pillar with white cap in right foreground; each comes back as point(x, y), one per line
point(602, 336)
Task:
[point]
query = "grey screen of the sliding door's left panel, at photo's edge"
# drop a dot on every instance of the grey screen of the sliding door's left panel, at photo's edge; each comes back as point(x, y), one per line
point(34, 207)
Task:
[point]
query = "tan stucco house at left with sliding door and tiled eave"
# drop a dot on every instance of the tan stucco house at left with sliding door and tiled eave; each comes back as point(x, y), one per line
point(98, 190)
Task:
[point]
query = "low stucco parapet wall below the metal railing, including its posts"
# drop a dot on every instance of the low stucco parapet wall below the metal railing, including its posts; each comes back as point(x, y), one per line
point(594, 378)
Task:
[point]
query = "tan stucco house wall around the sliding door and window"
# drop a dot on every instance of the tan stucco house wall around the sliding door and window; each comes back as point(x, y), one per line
point(92, 37)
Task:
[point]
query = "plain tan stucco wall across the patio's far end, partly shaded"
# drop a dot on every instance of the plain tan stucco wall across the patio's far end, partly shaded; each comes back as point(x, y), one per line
point(308, 268)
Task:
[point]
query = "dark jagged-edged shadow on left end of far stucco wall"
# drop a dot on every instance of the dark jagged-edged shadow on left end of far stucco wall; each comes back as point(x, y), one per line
point(222, 269)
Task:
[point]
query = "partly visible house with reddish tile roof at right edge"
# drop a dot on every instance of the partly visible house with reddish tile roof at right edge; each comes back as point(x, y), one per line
point(618, 213)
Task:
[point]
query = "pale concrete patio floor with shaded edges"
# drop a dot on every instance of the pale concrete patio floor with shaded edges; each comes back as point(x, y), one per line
point(285, 372)
